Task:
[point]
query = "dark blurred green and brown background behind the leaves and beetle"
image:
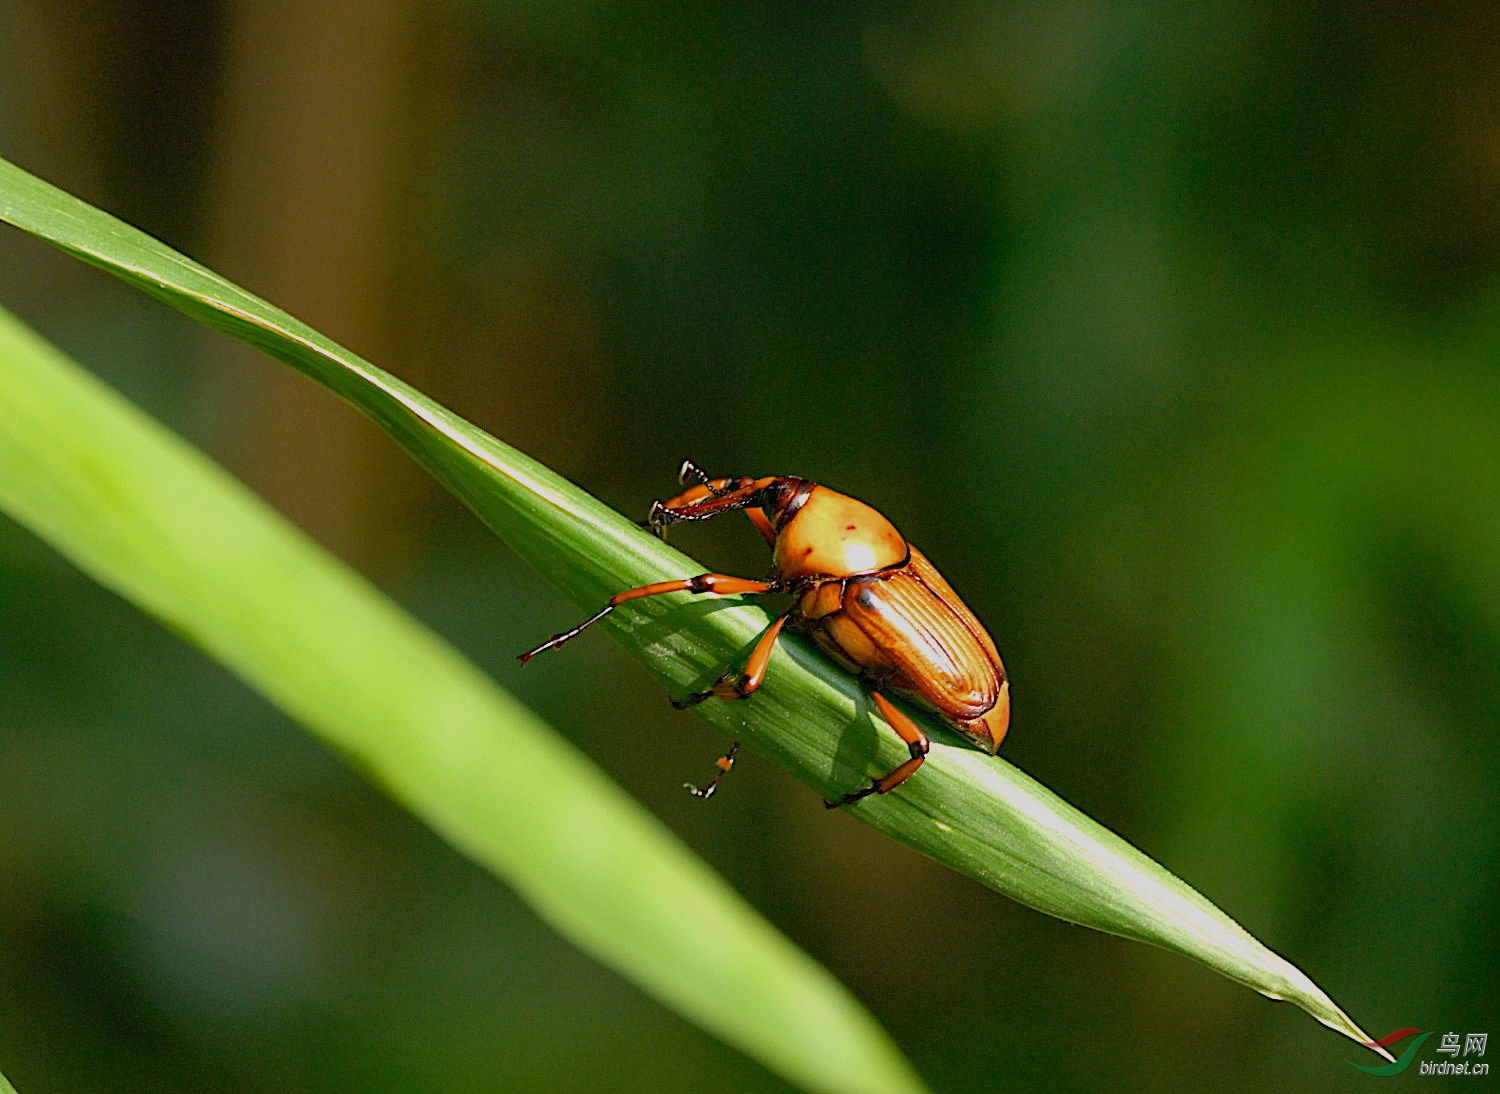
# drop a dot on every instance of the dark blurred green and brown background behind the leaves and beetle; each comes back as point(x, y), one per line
point(1168, 331)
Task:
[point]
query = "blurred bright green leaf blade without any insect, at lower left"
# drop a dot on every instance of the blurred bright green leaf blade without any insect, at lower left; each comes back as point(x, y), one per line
point(154, 520)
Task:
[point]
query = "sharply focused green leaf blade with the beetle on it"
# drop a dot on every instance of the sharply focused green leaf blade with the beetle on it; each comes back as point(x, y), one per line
point(976, 814)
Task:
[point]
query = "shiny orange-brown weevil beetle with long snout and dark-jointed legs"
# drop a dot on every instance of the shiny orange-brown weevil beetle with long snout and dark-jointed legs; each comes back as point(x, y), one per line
point(863, 594)
